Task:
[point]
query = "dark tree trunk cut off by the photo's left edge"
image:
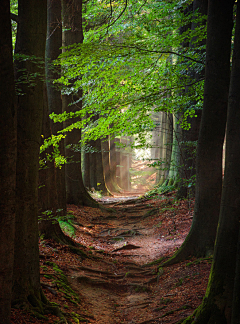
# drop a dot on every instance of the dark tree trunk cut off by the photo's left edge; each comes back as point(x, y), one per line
point(8, 149)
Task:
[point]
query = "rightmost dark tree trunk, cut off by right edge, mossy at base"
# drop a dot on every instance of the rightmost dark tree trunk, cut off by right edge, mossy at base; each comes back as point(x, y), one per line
point(218, 303)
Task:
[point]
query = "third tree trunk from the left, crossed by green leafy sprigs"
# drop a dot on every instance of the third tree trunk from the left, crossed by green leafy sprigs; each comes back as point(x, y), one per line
point(52, 192)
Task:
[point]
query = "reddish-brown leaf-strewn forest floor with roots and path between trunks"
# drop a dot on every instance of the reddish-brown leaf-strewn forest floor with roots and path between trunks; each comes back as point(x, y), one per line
point(117, 277)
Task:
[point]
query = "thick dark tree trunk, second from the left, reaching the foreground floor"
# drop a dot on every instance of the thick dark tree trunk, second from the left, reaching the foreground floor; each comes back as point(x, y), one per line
point(31, 38)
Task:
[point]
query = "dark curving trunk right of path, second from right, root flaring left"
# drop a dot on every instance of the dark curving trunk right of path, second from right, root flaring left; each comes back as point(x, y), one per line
point(201, 238)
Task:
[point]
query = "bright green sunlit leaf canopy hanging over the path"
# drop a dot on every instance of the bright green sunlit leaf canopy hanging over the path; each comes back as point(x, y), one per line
point(132, 62)
